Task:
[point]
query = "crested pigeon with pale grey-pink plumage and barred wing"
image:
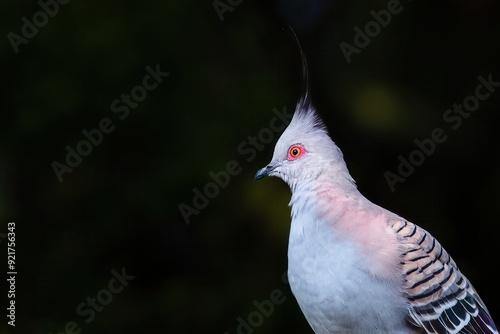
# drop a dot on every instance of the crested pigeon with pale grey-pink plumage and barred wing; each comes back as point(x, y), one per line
point(353, 266)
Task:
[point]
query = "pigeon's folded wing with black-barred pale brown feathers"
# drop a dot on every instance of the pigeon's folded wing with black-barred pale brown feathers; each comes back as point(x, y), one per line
point(441, 299)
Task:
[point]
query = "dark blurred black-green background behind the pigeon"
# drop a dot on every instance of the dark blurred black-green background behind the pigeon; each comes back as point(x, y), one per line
point(120, 206)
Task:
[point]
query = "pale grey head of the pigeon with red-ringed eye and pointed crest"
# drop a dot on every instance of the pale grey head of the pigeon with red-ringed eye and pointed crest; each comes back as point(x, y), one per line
point(304, 151)
